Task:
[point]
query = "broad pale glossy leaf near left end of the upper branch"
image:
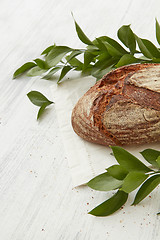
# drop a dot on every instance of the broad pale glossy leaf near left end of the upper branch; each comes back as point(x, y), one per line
point(56, 55)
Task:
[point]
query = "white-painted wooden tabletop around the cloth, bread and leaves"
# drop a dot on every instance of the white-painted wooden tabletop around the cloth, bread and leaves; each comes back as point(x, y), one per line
point(37, 200)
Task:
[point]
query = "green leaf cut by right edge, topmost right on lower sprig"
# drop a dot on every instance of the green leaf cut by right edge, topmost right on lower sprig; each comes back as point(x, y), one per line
point(151, 155)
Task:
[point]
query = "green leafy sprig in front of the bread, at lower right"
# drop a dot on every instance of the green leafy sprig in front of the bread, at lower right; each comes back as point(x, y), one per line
point(126, 176)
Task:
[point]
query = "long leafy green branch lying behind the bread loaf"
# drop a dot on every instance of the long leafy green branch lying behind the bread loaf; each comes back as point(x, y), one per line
point(98, 57)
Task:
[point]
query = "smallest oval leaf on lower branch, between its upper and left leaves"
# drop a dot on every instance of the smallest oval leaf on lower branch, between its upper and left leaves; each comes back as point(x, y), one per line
point(117, 172)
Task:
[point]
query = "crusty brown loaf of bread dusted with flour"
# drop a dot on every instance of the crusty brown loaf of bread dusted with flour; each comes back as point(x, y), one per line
point(123, 108)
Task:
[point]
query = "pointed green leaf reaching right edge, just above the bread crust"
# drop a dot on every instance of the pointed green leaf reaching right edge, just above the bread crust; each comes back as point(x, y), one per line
point(148, 48)
